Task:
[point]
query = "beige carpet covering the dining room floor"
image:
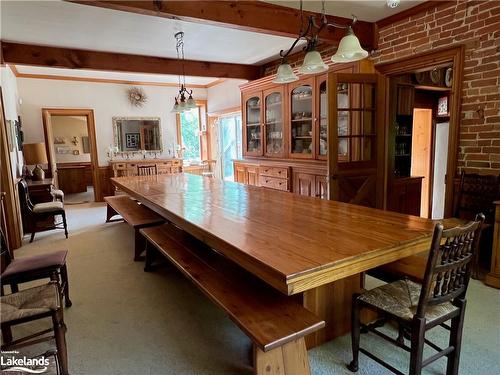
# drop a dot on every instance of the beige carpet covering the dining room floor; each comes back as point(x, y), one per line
point(126, 322)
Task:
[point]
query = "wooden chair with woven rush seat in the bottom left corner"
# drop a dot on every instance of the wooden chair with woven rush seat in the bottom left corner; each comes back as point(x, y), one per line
point(30, 305)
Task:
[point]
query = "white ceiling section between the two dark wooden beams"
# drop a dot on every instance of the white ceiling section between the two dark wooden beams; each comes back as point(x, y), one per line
point(72, 25)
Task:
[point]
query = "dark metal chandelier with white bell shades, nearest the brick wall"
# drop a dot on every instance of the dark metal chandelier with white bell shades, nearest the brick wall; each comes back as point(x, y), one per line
point(349, 48)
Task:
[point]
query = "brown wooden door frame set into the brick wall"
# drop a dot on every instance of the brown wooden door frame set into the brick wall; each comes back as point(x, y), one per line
point(427, 60)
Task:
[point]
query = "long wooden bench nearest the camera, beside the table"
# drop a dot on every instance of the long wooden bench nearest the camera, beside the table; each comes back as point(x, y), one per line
point(274, 322)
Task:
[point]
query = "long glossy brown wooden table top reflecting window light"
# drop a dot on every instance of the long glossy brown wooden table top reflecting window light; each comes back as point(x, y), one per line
point(292, 242)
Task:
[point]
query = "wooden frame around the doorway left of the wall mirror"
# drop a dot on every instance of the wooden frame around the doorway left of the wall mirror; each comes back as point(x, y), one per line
point(94, 161)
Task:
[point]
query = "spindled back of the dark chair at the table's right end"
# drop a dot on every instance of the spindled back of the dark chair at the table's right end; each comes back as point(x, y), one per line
point(448, 269)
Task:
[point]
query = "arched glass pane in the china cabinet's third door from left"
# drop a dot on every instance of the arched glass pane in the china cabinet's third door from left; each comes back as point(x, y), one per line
point(301, 99)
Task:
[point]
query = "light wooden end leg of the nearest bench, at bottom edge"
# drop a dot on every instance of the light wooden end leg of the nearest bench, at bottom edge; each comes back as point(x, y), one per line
point(289, 359)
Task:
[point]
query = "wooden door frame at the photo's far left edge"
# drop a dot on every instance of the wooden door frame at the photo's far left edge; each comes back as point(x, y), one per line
point(9, 187)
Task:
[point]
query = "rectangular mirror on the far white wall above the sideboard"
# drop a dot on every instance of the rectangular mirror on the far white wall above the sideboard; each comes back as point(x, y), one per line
point(137, 133)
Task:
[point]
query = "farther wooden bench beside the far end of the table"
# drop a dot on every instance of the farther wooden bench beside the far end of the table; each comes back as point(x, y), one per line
point(136, 215)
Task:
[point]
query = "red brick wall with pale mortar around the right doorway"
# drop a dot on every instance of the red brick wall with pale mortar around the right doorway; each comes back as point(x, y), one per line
point(475, 24)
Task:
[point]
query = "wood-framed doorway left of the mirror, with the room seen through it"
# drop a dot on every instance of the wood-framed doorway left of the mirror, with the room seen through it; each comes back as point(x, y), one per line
point(72, 153)
